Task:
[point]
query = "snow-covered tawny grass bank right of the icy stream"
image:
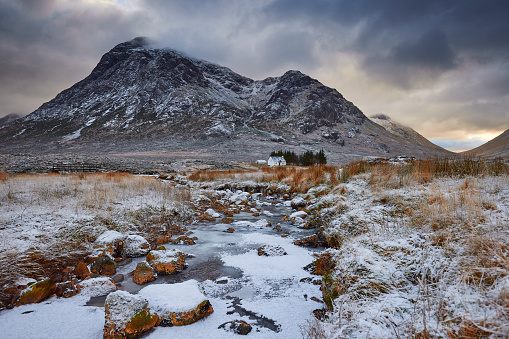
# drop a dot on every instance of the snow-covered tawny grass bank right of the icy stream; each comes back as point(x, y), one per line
point(423, 258)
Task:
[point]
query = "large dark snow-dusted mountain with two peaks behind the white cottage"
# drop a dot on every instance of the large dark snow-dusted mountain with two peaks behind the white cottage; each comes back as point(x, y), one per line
point(140, 99)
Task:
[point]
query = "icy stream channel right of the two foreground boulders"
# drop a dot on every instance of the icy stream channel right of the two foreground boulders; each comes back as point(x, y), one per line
point(271, 293)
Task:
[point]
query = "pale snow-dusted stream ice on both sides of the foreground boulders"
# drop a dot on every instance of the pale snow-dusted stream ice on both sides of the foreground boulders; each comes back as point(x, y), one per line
point(264, 291)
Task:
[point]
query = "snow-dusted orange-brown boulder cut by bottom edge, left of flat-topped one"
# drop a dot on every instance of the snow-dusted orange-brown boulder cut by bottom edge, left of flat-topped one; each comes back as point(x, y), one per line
point(127, 316)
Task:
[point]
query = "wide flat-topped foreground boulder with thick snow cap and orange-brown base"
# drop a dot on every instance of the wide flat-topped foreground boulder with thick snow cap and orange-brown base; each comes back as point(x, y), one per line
point(177, 304)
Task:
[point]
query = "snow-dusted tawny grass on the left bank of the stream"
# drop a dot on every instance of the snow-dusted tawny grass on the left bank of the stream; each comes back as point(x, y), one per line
point(49, 221)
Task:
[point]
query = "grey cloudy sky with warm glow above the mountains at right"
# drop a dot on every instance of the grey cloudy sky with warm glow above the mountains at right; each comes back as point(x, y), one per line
point(438, 66)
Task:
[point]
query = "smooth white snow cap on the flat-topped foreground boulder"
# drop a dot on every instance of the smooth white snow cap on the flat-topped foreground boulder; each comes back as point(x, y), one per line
point(173, 298)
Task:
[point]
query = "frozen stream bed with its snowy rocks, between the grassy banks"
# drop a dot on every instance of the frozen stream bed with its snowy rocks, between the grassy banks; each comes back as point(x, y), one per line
point(245, 264)
